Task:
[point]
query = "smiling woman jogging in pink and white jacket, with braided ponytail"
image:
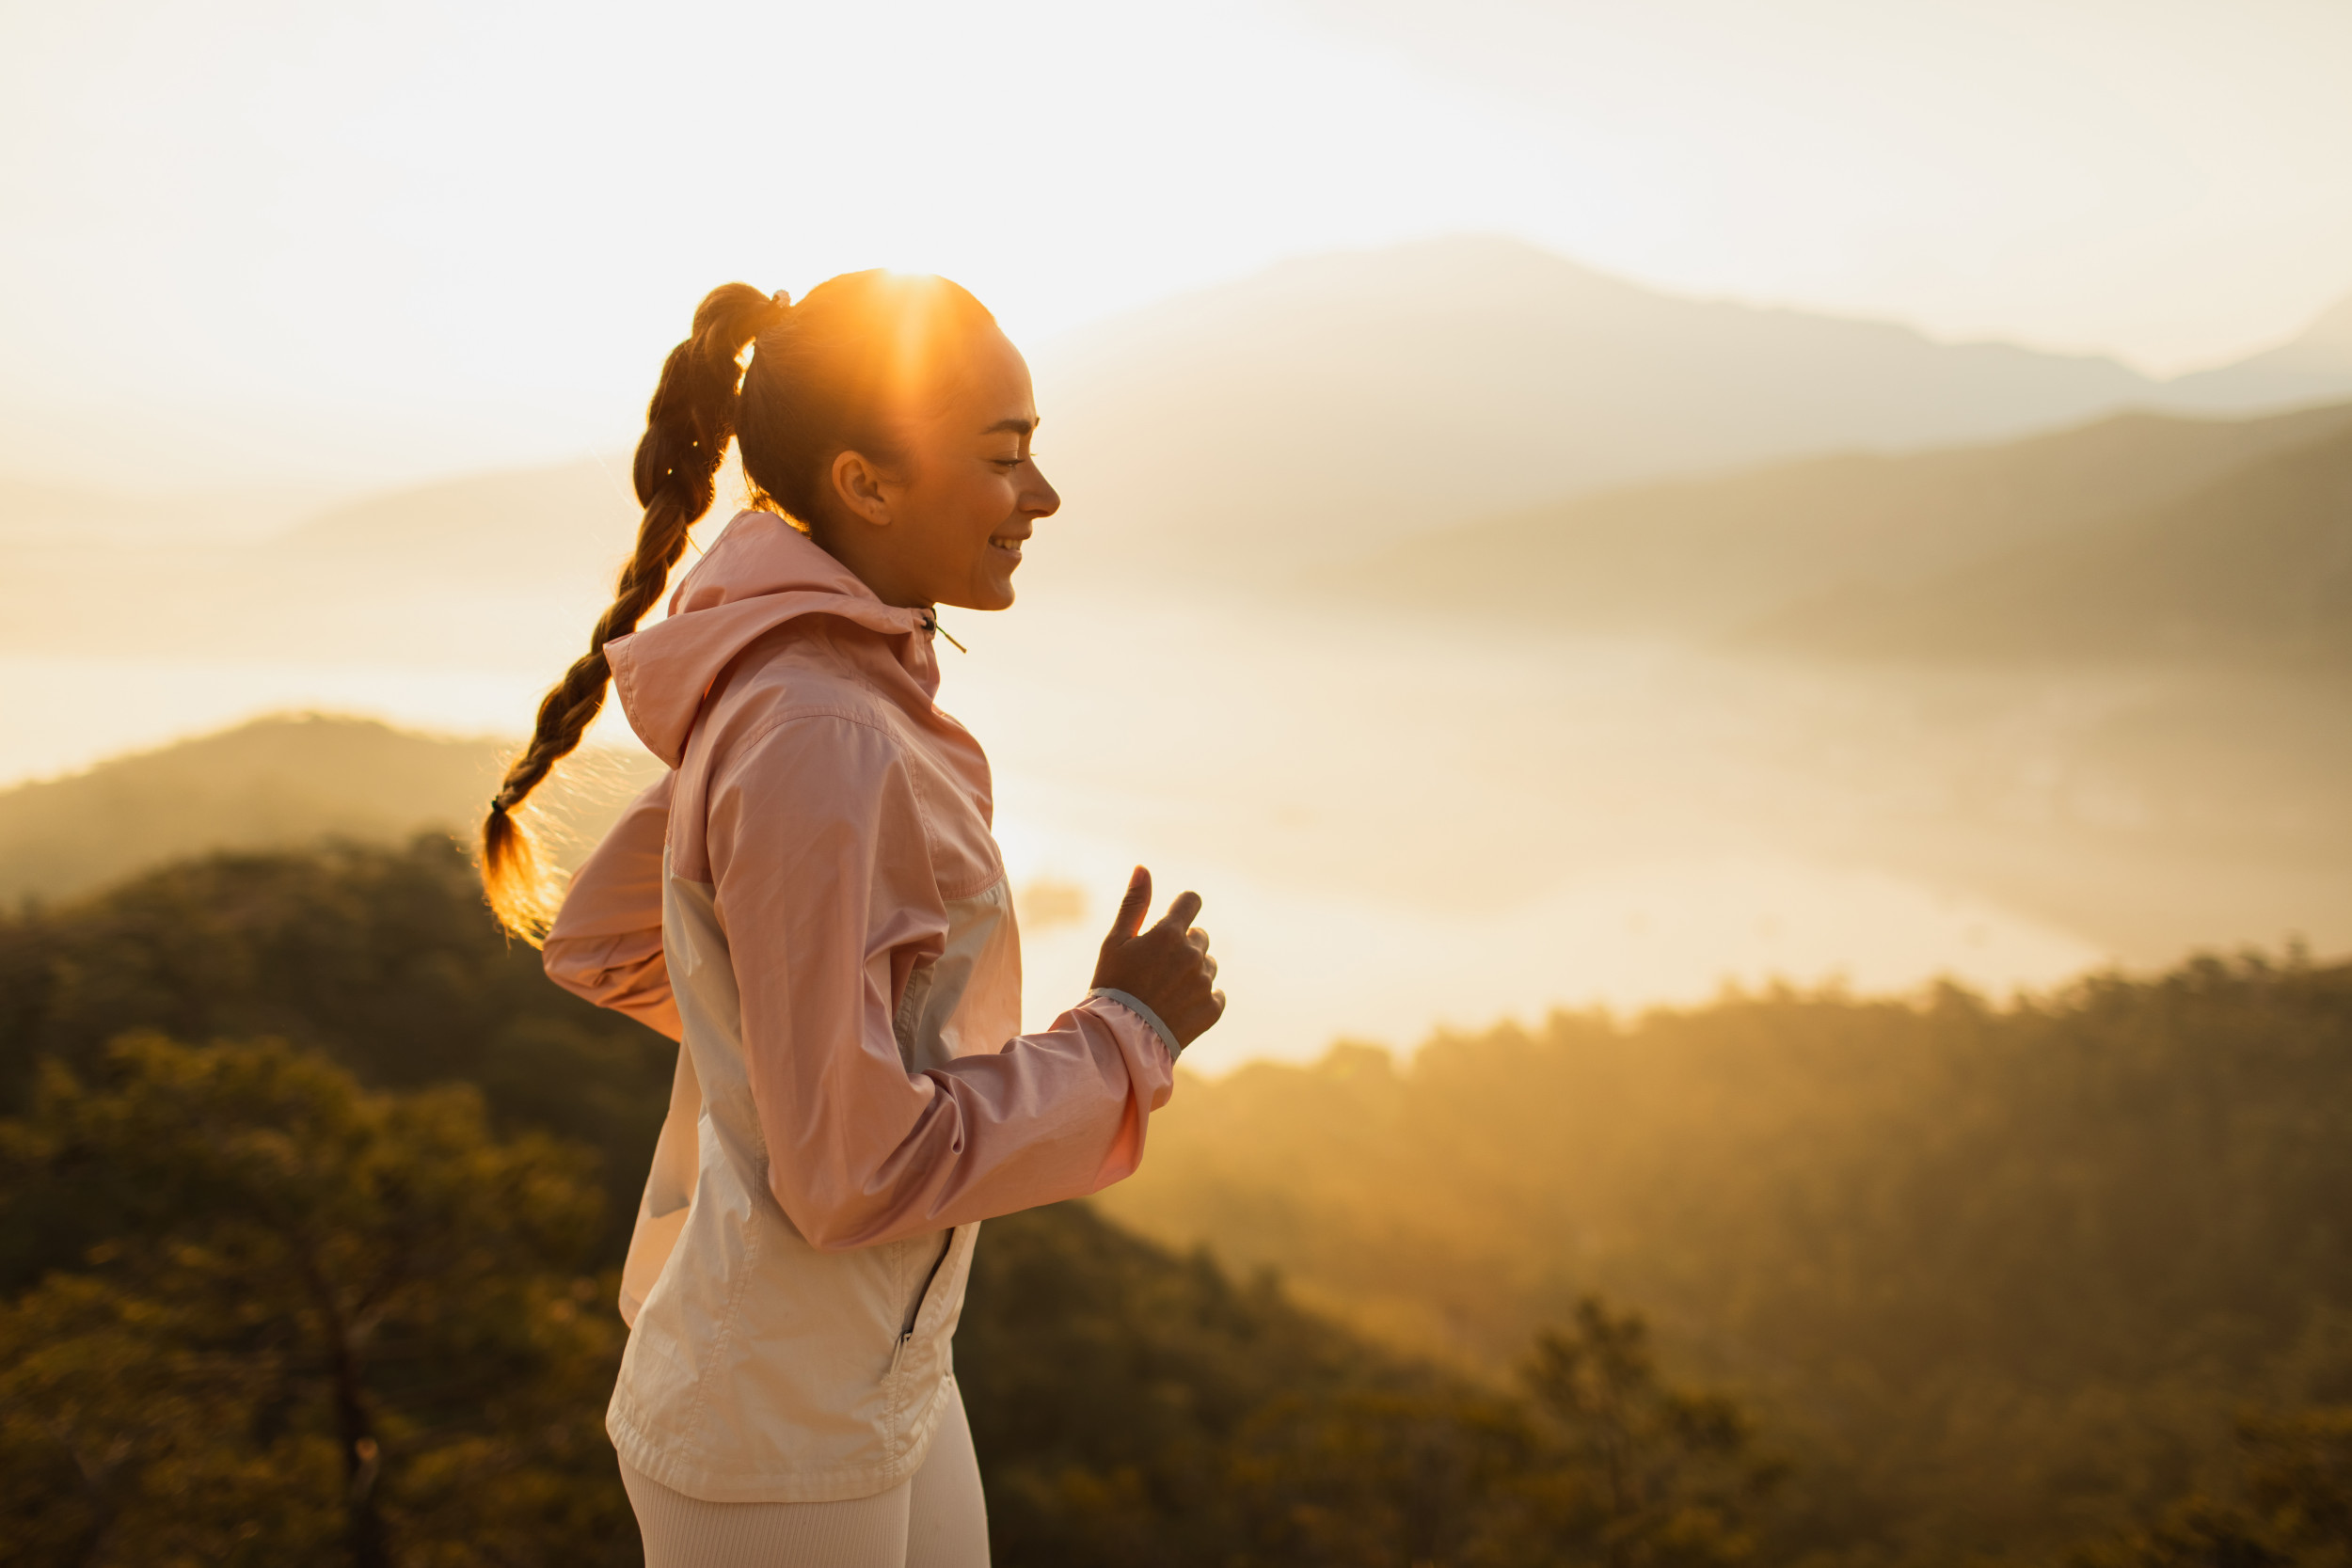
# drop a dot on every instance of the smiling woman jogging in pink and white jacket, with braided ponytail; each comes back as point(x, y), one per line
point(813, 904)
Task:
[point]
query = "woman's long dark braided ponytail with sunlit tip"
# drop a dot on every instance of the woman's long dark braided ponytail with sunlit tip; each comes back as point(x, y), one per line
point(688, 429)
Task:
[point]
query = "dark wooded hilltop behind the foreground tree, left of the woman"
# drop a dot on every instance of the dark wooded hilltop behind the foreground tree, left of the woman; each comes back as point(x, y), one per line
point(385, 960)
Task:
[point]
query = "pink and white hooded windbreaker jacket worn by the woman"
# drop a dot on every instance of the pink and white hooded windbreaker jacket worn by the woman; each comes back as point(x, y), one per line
point(815, 904)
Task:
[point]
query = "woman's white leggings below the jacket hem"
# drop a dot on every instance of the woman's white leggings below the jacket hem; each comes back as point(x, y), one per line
point(933, 1520)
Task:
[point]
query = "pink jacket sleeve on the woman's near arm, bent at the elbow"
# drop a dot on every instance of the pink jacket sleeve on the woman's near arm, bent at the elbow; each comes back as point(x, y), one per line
point(824, 885)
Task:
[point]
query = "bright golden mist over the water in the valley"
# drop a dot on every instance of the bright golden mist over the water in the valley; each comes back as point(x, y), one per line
point(1396, 826)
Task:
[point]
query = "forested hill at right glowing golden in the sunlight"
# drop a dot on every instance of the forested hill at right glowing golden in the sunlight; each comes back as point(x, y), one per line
point(1993, 1273)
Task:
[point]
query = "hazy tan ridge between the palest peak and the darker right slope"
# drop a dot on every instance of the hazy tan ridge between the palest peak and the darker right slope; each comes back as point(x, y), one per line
point(1711, 556)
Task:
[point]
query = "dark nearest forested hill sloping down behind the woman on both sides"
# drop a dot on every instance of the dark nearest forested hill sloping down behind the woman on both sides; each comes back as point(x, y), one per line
point(333, 1282)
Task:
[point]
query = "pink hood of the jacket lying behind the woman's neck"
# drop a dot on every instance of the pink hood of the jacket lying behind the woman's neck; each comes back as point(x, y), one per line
point(761, 575)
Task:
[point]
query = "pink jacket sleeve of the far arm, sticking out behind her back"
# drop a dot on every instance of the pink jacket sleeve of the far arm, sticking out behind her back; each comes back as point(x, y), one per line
point(608, 937)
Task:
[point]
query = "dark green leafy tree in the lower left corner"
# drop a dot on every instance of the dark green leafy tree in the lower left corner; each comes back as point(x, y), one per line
point(326, 1325)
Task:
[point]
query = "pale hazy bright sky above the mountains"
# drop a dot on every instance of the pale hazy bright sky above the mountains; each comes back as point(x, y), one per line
point(269, 239)
